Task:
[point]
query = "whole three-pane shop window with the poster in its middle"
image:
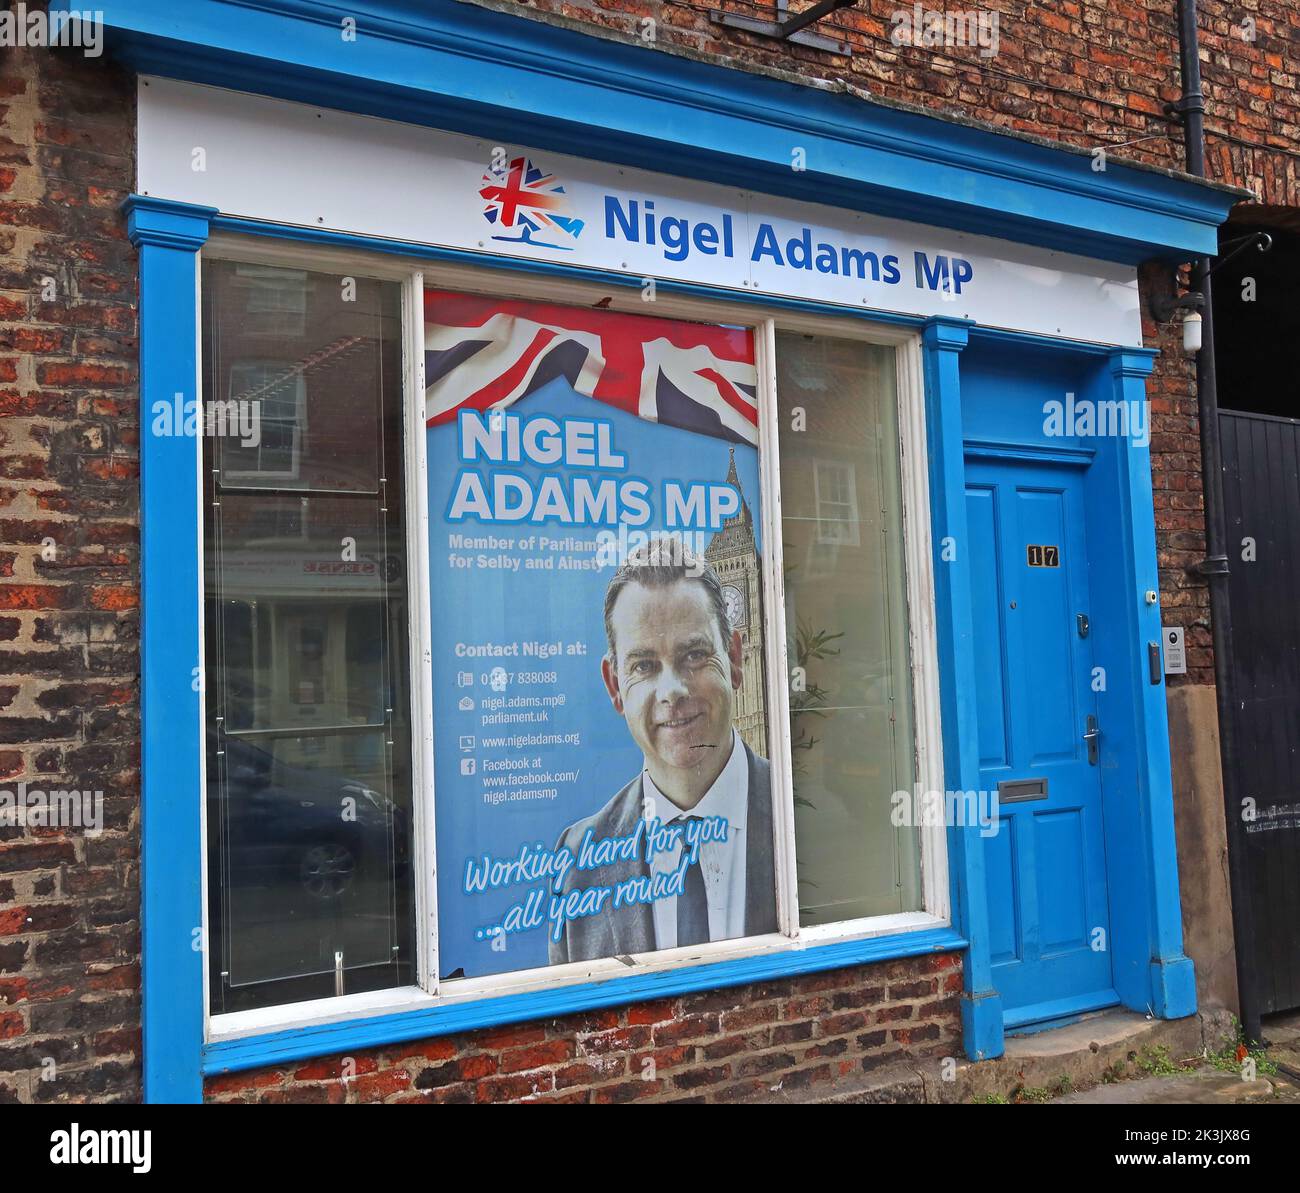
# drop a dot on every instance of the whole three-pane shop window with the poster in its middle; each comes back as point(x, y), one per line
point(622, 771)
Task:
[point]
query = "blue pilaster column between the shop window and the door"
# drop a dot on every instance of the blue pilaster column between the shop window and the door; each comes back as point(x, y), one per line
point(943, 342)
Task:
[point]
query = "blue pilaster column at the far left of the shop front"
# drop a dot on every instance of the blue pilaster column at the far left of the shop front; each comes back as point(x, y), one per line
point(168, 237)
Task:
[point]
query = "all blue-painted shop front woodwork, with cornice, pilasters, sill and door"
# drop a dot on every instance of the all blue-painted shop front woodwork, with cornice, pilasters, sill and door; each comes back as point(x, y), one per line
point(1045, 554)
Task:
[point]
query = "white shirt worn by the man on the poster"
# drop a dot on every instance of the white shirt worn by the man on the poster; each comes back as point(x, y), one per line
point(722, 862)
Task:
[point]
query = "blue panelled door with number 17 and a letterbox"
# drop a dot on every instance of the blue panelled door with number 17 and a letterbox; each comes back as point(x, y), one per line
point(1041, 744)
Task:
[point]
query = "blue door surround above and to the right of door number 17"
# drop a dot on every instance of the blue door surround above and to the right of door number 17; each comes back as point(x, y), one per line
point(1003, 418)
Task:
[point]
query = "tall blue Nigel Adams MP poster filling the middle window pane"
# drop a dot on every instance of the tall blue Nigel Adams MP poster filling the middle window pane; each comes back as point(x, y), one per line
point(600, 706)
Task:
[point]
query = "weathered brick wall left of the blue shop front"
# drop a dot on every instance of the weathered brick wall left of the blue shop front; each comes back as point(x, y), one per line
point(70, 718)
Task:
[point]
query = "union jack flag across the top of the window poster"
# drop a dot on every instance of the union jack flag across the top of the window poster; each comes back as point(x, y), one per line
point(488, 353)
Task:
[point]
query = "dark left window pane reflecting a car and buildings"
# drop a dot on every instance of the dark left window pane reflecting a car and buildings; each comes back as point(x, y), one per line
point(307, 679)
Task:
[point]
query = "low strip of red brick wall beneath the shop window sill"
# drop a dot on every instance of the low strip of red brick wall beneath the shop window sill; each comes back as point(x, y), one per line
point(798, 1038)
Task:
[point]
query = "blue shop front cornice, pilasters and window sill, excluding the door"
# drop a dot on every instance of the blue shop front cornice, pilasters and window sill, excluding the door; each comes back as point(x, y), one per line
point(449, 64)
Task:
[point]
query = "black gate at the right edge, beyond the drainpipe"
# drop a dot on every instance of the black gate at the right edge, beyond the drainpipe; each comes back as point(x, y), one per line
point(1262, 497)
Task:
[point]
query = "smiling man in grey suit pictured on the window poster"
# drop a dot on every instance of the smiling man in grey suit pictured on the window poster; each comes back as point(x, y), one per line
point(673, 671)
